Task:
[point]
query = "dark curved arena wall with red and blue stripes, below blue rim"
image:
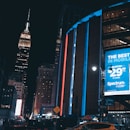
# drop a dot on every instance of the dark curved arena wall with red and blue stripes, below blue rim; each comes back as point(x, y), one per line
point(78, 80)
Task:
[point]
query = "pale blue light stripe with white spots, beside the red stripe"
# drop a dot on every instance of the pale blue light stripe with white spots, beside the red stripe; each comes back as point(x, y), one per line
point(72, 71)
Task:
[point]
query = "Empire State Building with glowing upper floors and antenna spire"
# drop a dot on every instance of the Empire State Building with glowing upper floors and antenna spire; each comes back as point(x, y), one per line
point(24, 45)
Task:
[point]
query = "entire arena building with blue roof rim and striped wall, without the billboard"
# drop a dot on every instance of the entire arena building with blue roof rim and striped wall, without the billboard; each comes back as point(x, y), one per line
point(85, 44)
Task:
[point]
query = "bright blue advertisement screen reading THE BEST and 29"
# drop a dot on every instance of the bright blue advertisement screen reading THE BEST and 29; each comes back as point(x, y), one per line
point(117, 72)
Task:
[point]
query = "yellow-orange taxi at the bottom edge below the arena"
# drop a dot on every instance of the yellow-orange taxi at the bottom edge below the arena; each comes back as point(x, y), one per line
point(95, 126)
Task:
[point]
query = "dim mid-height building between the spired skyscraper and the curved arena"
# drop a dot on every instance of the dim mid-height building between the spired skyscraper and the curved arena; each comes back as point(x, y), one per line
point(44, 100)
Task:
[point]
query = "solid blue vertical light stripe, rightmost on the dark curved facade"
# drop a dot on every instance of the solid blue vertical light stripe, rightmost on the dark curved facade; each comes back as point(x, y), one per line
point(84, 87)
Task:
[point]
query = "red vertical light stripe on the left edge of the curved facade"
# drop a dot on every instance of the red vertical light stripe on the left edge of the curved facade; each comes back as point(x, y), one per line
point(63, 75)
